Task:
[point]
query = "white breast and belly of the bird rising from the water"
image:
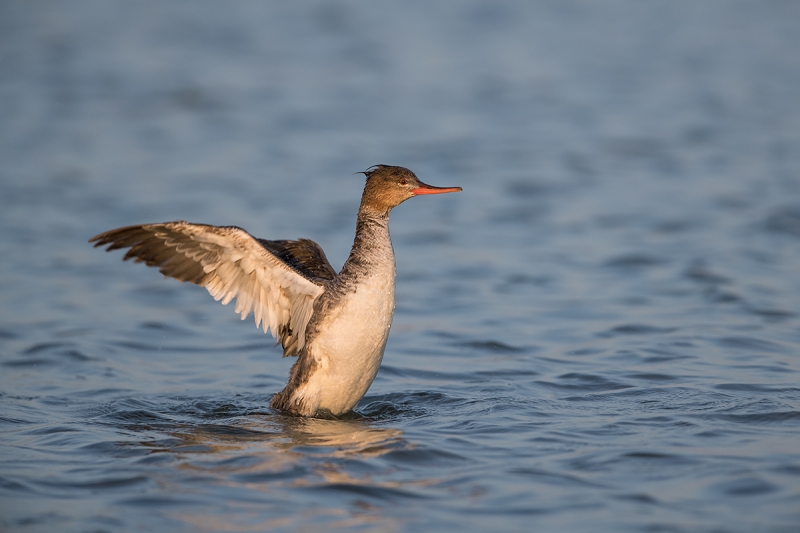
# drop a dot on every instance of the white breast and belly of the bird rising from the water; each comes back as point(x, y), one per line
point(349, 348)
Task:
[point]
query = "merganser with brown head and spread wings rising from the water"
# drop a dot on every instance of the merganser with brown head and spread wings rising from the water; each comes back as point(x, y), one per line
point(336, 324)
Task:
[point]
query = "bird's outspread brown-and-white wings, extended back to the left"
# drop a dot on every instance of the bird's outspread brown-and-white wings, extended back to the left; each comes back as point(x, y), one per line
point(231, 263)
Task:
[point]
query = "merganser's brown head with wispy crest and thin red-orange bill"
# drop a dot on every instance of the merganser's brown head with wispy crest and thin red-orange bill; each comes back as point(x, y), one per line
point(388, 187)
